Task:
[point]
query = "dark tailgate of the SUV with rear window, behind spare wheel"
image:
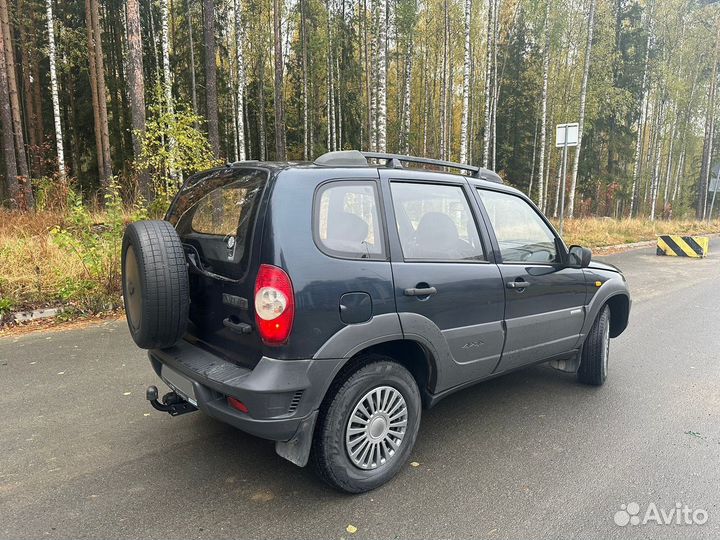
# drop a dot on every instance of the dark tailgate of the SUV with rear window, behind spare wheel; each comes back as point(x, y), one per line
point(216, 217)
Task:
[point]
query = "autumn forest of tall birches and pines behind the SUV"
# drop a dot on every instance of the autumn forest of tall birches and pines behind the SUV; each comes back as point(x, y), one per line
point(141, 93)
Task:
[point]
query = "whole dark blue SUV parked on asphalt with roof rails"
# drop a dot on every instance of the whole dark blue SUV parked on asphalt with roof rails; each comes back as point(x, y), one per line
point(323, 305)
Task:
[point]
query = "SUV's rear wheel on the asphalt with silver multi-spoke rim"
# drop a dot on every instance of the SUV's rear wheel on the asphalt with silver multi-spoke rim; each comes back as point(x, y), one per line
point(384, 380)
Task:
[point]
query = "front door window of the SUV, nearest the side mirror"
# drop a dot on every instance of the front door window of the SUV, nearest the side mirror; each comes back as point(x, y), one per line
point(522, 234)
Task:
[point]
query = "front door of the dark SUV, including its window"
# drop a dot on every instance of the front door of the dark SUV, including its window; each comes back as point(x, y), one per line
point(545, 299)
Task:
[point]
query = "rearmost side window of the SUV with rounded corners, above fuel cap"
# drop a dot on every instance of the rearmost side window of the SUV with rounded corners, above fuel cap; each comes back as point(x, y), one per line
point(346, 220)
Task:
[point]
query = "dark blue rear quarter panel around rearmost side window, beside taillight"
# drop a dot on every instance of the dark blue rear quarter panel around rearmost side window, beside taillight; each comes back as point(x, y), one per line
point(319, 280)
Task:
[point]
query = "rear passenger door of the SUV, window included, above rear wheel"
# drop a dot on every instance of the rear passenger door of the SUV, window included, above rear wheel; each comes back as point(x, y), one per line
point(448, 293)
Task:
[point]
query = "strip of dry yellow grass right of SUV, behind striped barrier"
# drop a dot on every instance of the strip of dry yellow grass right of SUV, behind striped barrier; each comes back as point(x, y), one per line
point(598, 232)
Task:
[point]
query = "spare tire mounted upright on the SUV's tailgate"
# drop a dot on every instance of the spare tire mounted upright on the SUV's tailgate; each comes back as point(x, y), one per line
point(155, 284)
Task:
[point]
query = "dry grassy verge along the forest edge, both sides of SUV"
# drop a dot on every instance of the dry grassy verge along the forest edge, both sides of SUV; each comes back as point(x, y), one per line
point(72, 258)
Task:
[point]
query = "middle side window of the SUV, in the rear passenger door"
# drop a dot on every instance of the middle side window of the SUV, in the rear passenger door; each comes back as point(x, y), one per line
point(435, 223)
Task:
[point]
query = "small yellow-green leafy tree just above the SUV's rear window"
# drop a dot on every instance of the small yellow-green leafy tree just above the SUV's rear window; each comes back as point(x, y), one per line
point(173, 147)
